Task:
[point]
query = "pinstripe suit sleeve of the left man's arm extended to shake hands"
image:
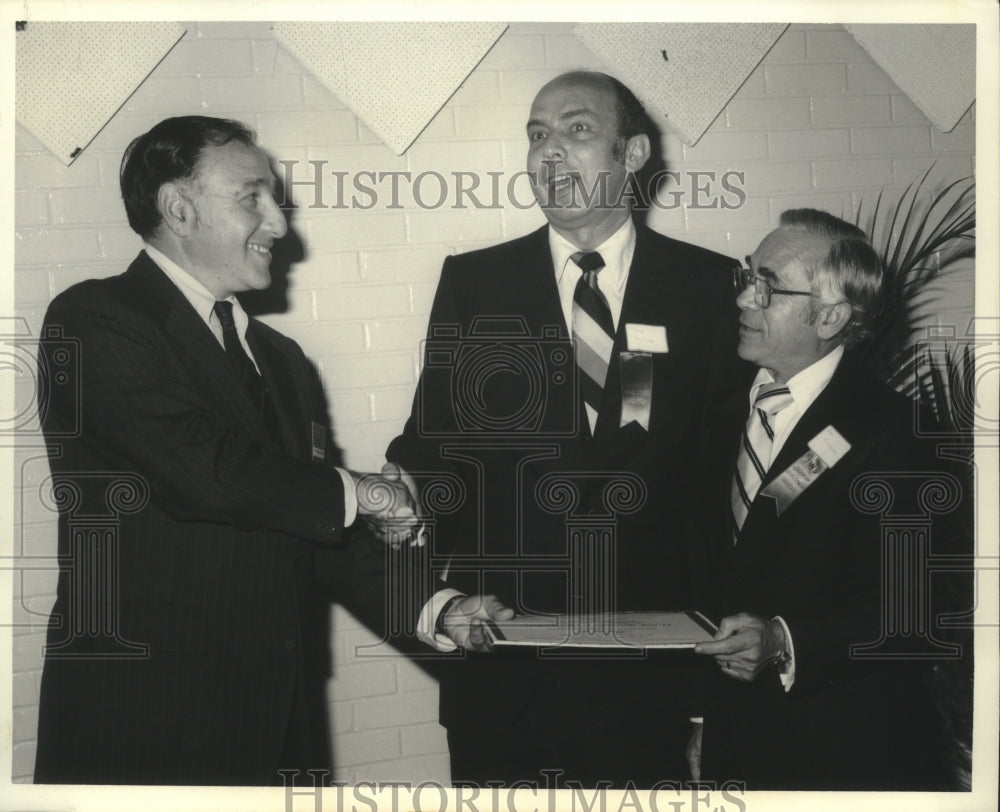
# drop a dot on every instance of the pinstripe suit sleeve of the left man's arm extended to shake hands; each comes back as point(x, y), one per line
point(139, 408)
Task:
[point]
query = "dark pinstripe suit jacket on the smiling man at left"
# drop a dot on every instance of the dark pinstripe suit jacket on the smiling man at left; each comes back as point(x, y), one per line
point(188, 621)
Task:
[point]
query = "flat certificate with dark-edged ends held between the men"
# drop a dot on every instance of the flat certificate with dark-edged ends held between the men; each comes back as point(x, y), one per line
point(631, 630)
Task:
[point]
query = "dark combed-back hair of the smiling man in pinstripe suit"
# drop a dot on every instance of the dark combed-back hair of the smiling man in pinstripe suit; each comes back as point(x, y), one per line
point(170, 151)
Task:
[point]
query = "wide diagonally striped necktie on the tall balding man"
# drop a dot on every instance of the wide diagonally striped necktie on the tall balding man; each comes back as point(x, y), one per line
point(593, 329)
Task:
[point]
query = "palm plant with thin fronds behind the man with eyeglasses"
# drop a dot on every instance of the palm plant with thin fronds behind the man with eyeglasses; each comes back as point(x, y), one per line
point(922, 238)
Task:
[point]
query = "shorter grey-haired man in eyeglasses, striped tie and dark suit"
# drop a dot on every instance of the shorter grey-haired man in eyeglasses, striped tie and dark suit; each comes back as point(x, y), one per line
point(797, 566)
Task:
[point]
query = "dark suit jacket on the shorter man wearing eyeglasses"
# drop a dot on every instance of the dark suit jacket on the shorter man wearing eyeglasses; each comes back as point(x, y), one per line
point(848, 722)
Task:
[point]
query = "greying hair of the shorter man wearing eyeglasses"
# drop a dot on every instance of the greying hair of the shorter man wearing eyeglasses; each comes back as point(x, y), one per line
point(851, 266)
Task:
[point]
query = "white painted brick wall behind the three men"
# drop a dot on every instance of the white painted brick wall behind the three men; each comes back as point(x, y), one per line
point(818, 123)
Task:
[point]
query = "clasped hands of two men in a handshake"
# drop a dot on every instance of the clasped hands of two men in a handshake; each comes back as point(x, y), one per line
point(390, 505)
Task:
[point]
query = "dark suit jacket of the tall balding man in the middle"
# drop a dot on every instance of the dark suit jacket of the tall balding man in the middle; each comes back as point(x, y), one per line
point(497, 406)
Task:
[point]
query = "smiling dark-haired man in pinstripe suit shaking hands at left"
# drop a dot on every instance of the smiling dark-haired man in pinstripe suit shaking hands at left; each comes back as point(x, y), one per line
point(187, 644)
